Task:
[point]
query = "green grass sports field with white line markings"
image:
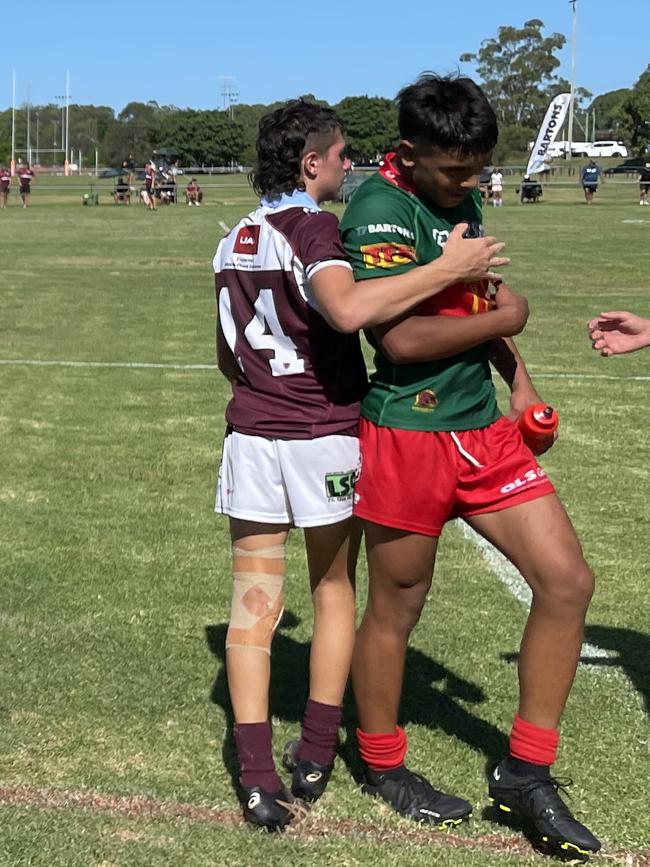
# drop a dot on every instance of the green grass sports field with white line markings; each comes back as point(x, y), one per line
point(115, 577)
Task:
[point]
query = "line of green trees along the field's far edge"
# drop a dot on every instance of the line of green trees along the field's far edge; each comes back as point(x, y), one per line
point(517, 69)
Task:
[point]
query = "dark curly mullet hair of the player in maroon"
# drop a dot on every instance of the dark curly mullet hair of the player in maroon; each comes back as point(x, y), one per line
point(282, 140)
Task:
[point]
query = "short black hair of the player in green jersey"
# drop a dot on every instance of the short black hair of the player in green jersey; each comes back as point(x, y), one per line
point(449, 112)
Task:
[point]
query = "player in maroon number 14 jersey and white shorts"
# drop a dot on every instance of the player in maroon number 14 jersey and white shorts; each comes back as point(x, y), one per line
point(288, 313)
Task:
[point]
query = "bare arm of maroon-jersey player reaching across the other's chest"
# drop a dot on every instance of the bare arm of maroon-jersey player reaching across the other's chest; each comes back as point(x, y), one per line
point(348, 305)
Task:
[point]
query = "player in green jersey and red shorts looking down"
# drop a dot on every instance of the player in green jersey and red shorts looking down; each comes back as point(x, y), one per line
point(435, 447)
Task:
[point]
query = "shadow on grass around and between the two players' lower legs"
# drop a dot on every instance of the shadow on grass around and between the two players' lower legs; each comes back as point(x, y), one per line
point(433, 696)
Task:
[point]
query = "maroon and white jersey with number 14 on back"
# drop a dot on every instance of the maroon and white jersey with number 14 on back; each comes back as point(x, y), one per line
point(298, 378)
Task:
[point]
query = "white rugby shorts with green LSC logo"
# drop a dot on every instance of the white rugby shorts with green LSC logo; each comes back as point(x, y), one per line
point(306, 483)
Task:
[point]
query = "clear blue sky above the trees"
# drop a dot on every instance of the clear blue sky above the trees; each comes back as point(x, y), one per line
point(179, 54)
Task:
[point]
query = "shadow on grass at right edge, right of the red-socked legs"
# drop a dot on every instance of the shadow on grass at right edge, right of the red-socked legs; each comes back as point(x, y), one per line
point(630, 649)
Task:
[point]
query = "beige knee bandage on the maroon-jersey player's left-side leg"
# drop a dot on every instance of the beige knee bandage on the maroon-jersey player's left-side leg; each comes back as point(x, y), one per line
point(257, 598)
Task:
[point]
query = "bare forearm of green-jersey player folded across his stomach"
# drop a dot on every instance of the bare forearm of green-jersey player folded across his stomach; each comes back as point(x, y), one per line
point(429, 338)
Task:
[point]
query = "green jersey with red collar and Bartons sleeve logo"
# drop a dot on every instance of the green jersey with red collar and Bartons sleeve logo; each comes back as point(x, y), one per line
point(387, 230)
